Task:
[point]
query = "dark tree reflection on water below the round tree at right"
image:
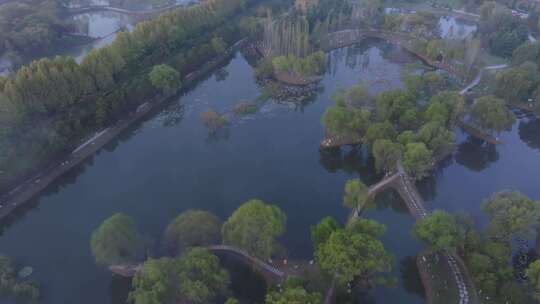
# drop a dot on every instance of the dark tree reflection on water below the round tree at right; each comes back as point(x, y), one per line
point(476, 154)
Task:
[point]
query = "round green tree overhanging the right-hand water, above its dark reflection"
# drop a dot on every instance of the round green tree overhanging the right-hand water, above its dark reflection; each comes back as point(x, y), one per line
point(490, 113)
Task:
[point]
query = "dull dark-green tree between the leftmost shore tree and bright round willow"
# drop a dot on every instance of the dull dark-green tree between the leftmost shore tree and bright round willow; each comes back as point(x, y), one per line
point(190, 229)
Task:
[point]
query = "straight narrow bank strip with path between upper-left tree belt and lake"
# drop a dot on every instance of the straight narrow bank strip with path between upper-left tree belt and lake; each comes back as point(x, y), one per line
point(25, 191)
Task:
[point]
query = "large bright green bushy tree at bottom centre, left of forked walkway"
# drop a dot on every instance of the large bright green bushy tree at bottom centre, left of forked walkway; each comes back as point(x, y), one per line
point(354, 251)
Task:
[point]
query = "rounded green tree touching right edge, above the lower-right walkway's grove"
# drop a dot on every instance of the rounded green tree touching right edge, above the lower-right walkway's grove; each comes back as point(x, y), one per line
point(511, 213)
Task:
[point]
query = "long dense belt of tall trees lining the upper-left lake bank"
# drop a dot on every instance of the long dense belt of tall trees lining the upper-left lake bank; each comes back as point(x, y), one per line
point(50, 104)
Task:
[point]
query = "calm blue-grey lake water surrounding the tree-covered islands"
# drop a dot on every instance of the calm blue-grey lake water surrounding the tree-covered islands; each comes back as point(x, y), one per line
point(169, 163)
